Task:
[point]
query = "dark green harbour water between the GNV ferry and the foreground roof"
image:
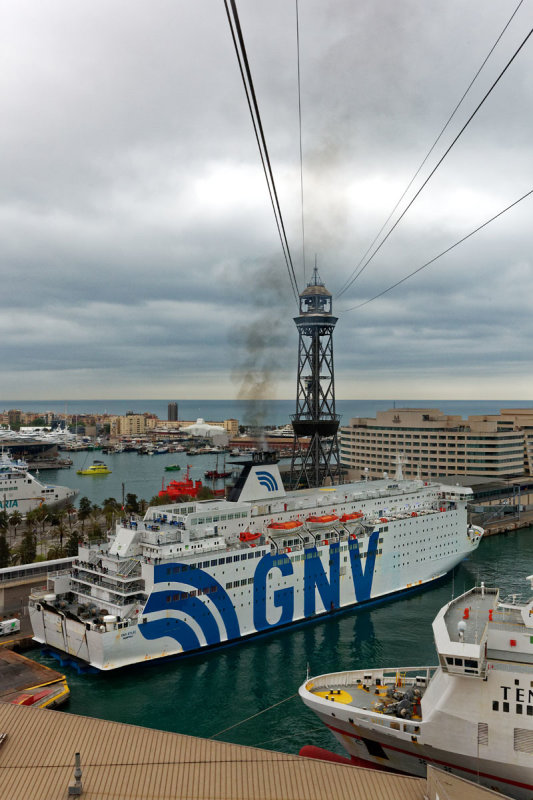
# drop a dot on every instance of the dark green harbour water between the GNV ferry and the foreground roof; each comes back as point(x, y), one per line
point(206, 694)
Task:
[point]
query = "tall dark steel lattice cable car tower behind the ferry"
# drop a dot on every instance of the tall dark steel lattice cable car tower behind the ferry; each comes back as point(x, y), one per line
point(315, 394)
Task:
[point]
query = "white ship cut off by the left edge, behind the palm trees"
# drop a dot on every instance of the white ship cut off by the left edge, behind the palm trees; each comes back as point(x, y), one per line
point(21, 491)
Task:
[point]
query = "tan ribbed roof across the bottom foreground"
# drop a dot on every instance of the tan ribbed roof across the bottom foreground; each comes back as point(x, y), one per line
point(38, 754)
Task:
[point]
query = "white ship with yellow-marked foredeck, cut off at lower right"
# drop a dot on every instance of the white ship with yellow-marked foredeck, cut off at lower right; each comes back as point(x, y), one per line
point(471, 715)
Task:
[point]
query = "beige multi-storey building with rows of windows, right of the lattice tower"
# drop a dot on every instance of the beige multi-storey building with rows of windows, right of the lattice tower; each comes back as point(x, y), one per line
point(436, 444)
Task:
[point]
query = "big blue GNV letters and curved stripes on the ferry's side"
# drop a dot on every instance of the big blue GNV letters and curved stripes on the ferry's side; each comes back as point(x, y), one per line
point(197, 625)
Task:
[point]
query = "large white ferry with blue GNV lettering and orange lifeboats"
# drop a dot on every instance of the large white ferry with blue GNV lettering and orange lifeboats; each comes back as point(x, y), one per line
point(199, 574)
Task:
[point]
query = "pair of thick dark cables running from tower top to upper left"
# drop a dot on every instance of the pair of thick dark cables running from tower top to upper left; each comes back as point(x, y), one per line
point(244, 67)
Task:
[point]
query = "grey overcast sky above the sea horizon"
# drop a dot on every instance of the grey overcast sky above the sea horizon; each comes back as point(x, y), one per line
point(138, 251)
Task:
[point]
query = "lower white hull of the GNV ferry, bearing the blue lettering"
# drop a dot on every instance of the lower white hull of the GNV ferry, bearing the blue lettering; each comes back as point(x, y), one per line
point(303, 592)
